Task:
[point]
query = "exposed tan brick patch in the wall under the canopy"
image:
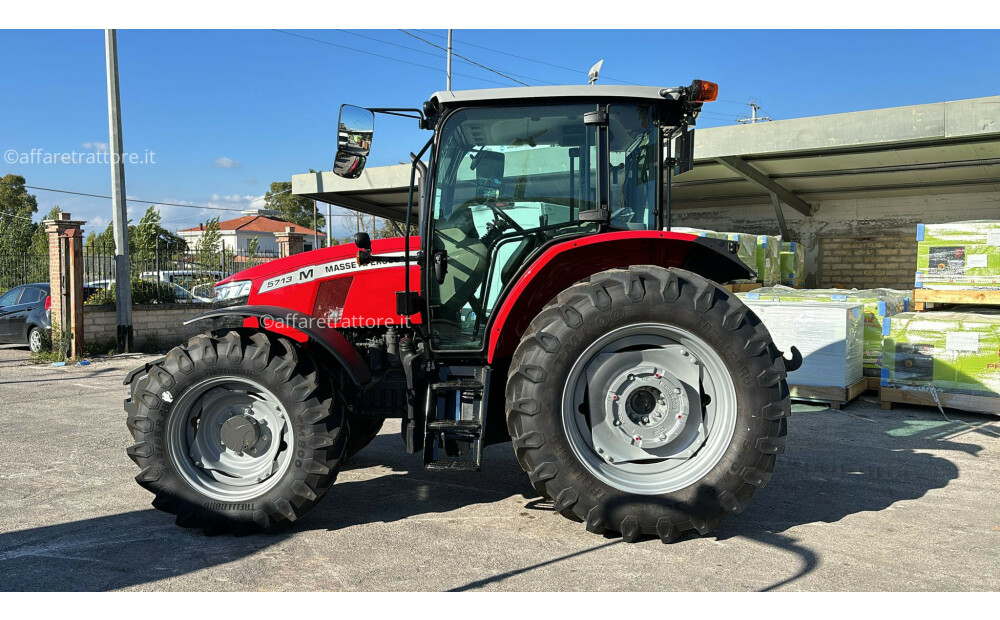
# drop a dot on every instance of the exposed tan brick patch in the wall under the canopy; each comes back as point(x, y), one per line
point(867, 262)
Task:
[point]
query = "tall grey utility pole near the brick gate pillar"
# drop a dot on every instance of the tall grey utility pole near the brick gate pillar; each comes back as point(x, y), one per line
point(123, 280)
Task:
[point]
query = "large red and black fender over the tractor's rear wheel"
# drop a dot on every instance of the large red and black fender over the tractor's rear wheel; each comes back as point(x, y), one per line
point(563, 264)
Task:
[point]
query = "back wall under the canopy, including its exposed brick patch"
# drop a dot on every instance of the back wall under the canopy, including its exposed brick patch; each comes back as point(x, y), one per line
point(864, 242)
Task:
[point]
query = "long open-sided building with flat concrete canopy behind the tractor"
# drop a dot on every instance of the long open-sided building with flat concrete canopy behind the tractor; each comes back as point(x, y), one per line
point(852, 187)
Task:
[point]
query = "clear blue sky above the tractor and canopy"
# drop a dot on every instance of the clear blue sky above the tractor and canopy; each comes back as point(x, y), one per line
point(228, 112)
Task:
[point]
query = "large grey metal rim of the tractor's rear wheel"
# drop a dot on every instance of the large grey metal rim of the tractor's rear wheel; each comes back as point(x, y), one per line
point(649, 408)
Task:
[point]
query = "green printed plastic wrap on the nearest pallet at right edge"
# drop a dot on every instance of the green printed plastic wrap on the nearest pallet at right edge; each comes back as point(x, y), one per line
point(952, 351)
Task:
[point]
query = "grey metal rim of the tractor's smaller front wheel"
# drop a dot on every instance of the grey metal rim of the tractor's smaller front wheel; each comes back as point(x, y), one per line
point(230, 438)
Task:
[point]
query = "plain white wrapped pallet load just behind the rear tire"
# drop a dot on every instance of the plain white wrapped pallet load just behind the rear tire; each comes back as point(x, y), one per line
point(829, 336)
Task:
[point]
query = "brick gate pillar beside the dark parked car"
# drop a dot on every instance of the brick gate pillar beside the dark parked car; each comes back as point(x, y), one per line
point(66, 281)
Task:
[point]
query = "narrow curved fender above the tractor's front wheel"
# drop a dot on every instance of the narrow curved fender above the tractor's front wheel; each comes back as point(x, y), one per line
point(331, 340)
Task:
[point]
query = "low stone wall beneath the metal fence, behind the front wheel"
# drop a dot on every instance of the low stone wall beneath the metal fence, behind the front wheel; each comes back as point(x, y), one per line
point(162, 321)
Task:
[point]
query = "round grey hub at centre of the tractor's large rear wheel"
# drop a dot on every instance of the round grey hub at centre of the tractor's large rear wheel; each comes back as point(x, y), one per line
point(648, 406)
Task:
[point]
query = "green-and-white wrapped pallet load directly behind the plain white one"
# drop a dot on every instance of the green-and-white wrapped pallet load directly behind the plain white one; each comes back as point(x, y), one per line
point(876, 303)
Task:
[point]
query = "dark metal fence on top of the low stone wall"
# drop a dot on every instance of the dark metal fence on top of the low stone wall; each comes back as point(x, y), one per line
point(185, 274)
